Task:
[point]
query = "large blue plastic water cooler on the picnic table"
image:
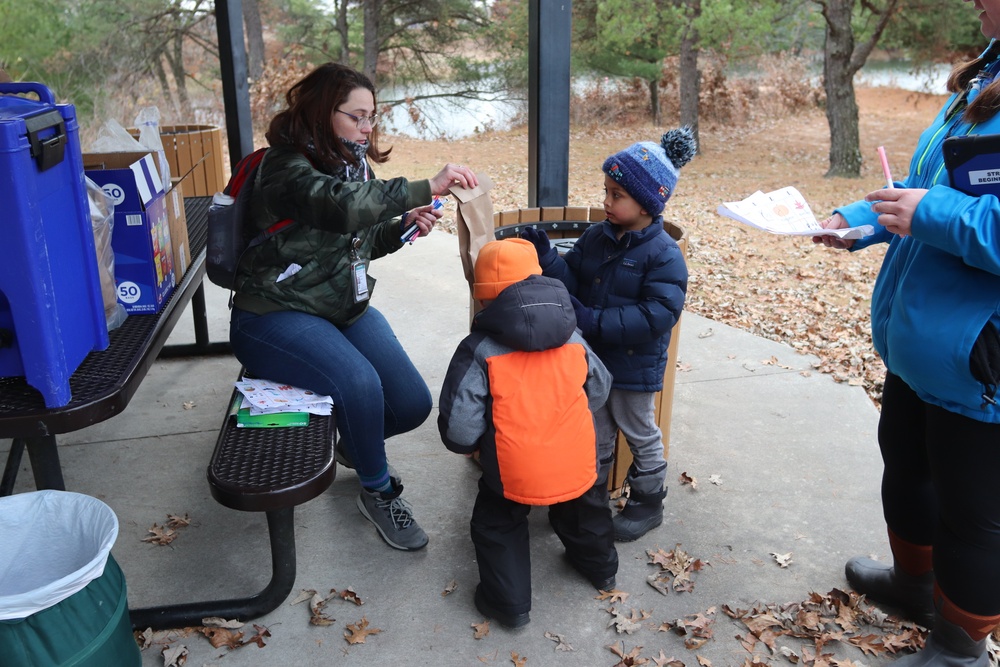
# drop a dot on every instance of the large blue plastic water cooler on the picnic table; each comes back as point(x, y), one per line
point(51, 308)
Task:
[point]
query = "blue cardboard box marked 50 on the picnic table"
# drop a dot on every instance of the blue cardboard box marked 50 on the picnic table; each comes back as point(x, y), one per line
point(144, 264)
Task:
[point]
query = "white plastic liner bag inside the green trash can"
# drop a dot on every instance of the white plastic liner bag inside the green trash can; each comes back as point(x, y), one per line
point(54, 544)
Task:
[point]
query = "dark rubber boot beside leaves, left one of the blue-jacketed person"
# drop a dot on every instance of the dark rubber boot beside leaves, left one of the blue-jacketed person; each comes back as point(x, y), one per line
point(907, 585)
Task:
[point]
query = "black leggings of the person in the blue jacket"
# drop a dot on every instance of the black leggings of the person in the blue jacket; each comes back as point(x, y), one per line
point(941, 487)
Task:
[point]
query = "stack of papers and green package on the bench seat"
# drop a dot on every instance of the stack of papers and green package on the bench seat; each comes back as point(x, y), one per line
point(267, 403)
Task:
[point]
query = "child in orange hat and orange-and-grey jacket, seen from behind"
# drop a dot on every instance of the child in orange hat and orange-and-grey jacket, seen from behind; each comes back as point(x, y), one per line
point(521, 389)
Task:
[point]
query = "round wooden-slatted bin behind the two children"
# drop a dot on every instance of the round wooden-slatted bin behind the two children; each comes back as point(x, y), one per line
point(563, 225)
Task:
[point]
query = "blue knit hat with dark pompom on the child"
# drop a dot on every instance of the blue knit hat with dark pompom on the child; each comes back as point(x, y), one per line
point(648, 172)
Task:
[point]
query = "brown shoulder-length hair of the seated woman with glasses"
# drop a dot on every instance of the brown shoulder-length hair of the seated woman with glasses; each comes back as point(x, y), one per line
point(307, 122)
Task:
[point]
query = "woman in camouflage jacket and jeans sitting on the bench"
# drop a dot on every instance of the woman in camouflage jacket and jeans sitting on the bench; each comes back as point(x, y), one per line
point(301, 312)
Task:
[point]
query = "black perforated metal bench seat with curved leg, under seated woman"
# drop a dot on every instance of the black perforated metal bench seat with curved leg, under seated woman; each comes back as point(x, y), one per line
point(268, 470)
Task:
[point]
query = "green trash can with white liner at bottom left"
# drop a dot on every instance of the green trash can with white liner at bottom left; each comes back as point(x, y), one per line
point(63, 600)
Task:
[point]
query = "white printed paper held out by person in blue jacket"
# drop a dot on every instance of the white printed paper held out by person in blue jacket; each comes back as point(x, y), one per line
point(785, 211)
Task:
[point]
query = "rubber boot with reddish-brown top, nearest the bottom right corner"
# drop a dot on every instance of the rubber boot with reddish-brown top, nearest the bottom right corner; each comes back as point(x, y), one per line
point(957, 639)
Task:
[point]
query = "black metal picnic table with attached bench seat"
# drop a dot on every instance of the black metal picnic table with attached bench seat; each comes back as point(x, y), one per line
point(258, 470)
